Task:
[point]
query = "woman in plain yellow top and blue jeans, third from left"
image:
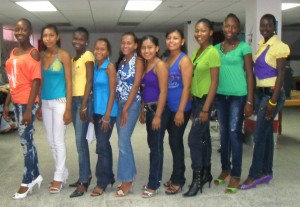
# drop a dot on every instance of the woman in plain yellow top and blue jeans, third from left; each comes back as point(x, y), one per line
point(82, 79)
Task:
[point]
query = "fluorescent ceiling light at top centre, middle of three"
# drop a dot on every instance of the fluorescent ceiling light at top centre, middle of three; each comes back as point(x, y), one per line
point(142, 5)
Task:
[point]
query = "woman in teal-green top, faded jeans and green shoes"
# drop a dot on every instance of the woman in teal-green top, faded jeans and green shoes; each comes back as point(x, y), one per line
point(235, 98)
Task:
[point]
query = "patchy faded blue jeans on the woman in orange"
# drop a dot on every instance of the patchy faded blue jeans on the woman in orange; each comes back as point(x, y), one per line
point(31, 163)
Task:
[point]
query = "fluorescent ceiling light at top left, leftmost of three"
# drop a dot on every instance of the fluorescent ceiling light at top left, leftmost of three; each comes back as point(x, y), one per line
point(36, 6)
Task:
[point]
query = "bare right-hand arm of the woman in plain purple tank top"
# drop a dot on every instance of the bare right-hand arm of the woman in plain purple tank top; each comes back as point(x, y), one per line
point(161, 71)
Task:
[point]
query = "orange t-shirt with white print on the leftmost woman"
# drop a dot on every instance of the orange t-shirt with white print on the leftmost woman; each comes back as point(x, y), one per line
point(21, 71)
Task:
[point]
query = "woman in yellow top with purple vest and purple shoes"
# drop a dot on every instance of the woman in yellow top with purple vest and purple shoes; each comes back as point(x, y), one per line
point(269, 64)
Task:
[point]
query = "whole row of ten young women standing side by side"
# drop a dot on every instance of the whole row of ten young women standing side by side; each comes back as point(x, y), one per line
point(165, 93)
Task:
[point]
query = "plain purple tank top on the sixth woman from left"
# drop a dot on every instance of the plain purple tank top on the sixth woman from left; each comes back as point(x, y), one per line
point(150, 87)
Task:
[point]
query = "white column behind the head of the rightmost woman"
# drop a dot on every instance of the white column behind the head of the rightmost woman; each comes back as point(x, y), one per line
point(255, 9)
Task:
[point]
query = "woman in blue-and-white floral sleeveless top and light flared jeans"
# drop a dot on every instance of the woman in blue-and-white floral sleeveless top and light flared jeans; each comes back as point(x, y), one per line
point(129, 76)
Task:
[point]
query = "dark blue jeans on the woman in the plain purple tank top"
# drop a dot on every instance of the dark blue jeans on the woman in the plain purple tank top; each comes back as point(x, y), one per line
point(155, 139)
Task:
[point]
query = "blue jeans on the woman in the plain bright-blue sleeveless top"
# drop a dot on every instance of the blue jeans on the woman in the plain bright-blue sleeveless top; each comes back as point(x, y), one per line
point(104, 171)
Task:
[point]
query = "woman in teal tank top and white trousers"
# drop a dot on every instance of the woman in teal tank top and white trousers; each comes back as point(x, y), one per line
point(56, 101)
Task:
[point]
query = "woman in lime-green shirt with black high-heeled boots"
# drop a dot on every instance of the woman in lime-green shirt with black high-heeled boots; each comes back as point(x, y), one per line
point(206, 62)
